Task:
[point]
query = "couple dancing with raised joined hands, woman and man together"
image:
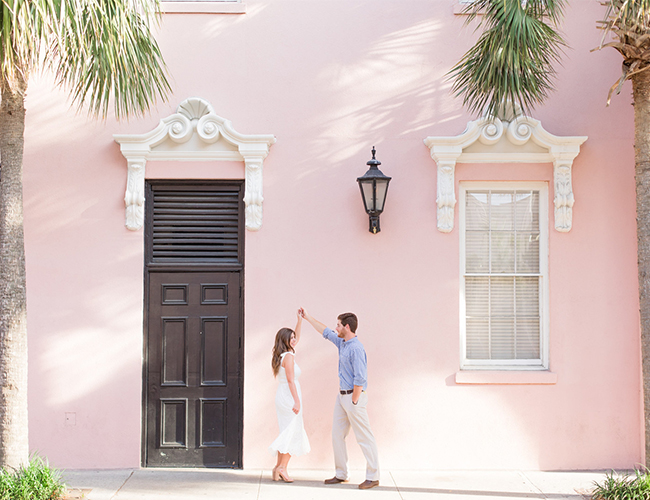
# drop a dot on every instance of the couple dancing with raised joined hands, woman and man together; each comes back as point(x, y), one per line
point(350, 407)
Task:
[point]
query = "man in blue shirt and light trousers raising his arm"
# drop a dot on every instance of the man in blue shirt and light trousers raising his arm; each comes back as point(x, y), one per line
point(350, 409)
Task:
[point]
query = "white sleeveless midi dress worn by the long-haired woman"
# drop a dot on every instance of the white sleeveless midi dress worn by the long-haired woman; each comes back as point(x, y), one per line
point(293, 438)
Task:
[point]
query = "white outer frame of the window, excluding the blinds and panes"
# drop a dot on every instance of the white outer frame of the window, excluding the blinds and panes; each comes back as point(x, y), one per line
point(515, 364)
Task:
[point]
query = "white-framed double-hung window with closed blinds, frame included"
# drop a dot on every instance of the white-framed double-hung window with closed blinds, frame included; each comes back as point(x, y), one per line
point(504, 271)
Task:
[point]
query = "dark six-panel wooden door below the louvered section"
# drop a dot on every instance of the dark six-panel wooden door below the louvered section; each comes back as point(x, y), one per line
point(193, 370)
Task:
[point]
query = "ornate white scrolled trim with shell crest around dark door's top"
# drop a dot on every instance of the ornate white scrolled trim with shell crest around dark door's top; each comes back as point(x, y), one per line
point(194, 120)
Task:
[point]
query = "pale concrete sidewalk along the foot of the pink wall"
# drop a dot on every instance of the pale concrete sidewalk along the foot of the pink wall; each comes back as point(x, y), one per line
point(251, 484)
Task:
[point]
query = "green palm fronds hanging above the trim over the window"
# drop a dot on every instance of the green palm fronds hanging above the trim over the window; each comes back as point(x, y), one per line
point(514, 56)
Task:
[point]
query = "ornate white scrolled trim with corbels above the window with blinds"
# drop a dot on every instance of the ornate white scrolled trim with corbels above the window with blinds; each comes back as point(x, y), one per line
point(493, 141)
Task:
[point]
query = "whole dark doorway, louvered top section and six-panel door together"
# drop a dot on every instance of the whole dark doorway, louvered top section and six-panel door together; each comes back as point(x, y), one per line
point(193, 329)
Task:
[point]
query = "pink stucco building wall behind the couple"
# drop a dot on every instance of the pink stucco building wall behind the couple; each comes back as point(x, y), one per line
point(330, 80)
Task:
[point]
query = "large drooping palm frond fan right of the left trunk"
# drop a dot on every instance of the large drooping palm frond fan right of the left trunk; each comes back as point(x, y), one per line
point(104, 50)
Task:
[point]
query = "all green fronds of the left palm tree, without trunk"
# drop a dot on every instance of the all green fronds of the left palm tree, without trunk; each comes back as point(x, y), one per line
point(103, 50)
